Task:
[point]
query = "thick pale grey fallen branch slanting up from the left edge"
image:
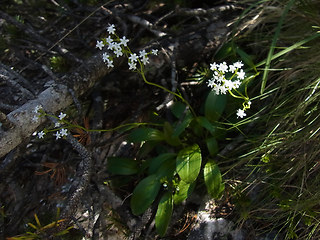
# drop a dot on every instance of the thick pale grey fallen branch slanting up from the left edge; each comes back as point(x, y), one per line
point(53, 99)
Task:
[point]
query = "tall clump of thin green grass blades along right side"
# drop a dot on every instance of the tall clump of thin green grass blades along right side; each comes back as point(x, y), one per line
point(276, 179)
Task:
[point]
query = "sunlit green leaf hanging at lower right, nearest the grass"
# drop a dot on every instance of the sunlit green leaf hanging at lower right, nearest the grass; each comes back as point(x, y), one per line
point(213, 179)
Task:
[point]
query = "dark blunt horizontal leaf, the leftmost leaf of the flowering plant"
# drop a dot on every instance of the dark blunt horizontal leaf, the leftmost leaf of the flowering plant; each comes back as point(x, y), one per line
point(122, 166)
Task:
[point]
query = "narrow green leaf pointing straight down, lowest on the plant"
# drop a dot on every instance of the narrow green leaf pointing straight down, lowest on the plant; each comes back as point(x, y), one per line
point(164, 212)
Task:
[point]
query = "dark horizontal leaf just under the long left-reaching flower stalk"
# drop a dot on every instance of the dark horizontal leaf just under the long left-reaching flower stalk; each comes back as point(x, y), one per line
point(145, 134)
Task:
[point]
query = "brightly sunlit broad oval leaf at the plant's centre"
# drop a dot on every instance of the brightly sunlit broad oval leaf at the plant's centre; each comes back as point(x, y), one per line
point(188, 163)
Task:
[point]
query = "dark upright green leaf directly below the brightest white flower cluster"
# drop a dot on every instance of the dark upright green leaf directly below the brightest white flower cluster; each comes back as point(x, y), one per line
point(214, 106)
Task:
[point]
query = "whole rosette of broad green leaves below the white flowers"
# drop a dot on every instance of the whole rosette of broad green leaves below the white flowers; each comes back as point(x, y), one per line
point(171, 160)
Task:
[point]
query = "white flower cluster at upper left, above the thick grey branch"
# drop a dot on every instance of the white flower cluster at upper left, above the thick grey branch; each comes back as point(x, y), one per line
point(119, 47)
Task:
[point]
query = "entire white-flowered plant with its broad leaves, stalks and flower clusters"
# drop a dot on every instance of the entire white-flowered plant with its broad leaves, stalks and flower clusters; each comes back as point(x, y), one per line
point(173, 172)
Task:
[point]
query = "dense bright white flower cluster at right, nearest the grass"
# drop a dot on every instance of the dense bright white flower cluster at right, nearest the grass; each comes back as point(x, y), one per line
point(219, 83)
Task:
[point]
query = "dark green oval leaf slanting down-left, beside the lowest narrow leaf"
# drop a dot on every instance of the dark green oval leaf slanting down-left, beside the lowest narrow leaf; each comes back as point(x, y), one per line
point(144, 194)
